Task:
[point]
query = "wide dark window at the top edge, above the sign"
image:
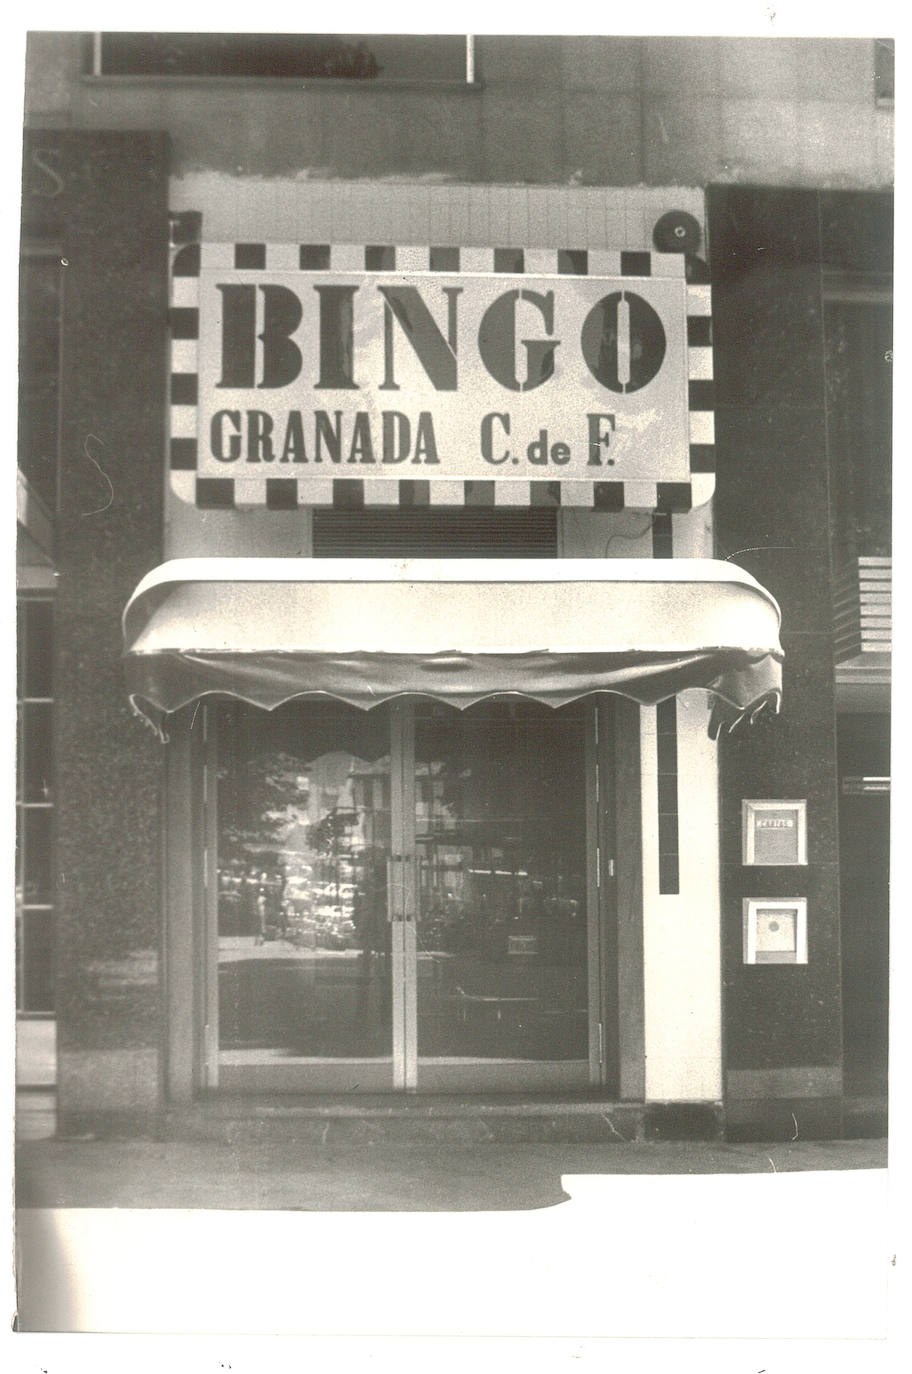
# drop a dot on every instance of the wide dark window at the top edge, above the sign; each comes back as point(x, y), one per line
point(373, 57)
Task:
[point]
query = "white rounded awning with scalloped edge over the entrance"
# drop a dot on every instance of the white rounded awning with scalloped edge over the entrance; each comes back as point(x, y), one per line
point(458, 630)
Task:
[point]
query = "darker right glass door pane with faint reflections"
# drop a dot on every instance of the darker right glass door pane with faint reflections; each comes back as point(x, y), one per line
point(502, 931)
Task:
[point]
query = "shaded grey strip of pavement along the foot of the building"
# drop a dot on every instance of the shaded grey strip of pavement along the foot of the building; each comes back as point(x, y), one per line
point(277, 1174)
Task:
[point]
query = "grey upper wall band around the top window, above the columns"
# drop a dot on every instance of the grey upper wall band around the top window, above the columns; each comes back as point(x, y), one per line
point(562, 111)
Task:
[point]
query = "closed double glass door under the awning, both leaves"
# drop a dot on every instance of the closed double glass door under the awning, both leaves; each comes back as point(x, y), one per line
point(404, 898)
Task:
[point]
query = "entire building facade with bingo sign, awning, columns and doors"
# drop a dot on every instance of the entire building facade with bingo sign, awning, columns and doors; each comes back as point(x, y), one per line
point(315, 796)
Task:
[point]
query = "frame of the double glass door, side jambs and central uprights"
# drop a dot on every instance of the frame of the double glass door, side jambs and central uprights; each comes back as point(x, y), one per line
point(192, 800)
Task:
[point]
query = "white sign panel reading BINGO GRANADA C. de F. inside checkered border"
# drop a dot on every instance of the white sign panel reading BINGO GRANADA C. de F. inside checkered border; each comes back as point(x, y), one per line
point(442, 379)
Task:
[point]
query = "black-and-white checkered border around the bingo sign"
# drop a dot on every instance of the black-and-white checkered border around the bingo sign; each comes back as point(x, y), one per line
point(288, 494)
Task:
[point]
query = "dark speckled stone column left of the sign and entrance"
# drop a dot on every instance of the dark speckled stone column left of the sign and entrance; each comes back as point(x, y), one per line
point(113, 223)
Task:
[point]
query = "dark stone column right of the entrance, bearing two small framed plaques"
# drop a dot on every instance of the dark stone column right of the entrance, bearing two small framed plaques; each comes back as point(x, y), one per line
point(782, 1024)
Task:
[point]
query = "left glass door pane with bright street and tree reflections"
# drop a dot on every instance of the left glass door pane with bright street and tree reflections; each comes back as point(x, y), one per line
point(304, 951)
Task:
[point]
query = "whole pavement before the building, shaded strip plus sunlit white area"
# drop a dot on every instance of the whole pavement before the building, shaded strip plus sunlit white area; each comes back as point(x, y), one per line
point(481, 1239)
